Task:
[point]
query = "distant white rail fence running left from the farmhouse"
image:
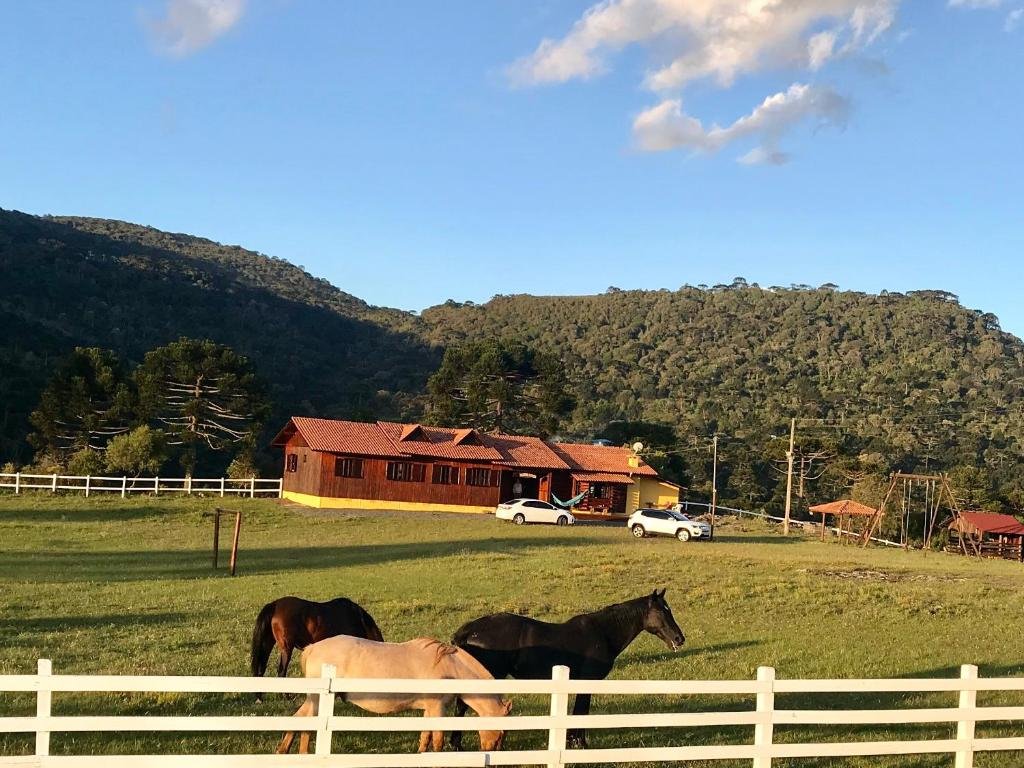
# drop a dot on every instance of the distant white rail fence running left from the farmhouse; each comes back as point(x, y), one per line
point(251, 487)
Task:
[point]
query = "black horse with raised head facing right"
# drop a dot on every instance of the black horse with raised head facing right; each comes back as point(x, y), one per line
point(510, 646)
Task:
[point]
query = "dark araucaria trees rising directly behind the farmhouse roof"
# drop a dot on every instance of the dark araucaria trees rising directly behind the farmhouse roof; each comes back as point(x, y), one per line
point(500, 387)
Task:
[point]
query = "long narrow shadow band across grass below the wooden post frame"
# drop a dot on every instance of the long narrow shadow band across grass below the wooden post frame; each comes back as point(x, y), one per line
point(133, 566)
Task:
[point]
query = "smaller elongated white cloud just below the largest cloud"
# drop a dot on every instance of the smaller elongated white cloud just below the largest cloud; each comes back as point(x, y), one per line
point(667, 126)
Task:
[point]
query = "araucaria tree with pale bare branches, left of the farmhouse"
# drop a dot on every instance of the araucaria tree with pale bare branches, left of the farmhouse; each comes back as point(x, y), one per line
point(203, 396)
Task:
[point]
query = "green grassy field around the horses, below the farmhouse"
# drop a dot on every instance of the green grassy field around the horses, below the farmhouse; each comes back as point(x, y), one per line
point(125, 587)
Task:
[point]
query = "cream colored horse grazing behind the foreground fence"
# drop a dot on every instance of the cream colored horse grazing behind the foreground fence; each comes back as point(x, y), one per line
point(422, 659)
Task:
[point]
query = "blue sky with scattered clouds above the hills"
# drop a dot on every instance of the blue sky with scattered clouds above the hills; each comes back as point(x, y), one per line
point(416, 152)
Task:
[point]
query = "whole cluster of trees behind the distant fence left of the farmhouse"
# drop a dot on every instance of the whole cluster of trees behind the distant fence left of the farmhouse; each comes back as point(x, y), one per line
point(187, 403)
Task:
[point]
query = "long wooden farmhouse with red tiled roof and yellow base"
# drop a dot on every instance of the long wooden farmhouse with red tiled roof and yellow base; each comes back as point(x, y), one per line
point(385, 465)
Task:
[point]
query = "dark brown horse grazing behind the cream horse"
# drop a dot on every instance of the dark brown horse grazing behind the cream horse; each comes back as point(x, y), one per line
point(293, 623)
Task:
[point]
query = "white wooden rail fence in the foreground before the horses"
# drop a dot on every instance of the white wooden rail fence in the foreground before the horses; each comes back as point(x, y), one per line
point(761, 750)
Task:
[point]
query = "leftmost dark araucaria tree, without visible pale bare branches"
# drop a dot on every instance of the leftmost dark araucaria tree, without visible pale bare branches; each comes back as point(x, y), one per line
point(88, 402)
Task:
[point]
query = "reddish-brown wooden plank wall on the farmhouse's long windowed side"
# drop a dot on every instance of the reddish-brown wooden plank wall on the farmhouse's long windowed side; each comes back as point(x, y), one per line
point(375, 485)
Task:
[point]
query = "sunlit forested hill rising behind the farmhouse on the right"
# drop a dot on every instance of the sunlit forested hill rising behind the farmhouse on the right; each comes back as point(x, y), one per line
point(917, 380)
